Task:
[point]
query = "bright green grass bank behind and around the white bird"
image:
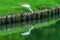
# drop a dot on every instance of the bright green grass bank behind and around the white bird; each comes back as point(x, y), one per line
point(14, 6)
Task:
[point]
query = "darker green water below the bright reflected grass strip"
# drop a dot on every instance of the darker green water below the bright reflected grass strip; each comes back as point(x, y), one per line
point(51, 32)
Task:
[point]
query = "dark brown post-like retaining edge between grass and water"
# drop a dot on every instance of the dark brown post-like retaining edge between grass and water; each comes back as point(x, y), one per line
point(49, 13)
